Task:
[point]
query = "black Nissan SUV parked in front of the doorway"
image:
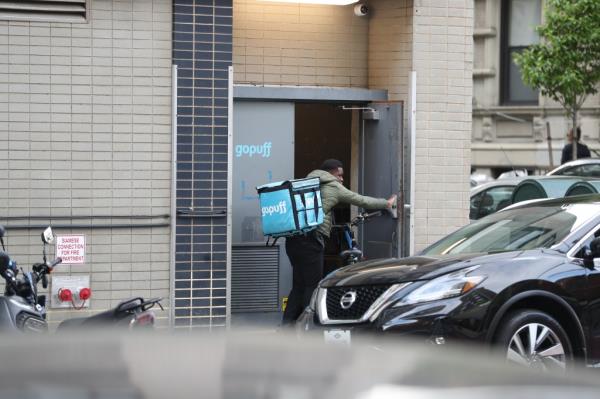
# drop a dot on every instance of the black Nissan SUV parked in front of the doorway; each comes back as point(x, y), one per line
point(524, 279)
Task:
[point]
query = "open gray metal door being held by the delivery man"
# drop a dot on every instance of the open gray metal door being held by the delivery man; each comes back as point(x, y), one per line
point(381, 169)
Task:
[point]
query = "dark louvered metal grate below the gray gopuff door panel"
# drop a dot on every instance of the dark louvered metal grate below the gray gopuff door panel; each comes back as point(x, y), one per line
point(254, 279)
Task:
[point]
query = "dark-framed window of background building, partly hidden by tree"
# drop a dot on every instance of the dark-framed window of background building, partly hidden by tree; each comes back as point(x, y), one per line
point(519, 19)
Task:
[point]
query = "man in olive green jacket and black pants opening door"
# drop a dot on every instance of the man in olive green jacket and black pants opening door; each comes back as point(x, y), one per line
point(306, 251)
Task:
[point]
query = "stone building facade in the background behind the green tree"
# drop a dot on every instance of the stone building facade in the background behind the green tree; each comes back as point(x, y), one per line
point(509, 119)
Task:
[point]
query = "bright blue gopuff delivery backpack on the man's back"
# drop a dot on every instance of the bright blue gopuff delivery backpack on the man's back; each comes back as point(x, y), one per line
point(290, 207)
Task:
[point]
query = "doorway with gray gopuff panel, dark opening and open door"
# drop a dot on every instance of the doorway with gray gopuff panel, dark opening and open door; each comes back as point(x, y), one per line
point(287, 137)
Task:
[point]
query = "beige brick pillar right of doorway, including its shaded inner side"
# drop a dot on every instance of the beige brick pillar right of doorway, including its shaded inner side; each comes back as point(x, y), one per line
point(433, 38)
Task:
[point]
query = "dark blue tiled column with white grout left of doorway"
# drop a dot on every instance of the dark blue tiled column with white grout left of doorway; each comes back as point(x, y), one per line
point(202, 31)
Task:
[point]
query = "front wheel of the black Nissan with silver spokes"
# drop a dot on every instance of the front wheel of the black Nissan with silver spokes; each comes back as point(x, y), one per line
point(534, 339)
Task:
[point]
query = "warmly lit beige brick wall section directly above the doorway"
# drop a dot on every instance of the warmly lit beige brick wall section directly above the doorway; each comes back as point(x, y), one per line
point(294, 44)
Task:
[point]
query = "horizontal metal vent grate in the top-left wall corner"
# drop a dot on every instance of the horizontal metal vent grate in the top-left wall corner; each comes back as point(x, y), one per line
point(44, 10)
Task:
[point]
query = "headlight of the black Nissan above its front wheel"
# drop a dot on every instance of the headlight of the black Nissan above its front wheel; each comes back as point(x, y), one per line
point(447, 286)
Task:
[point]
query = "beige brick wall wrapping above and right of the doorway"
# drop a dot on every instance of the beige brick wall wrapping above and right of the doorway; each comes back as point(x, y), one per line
point(288, 45)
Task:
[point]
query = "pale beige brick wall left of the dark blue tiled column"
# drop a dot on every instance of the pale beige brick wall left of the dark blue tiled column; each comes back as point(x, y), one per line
point(85, 129)
